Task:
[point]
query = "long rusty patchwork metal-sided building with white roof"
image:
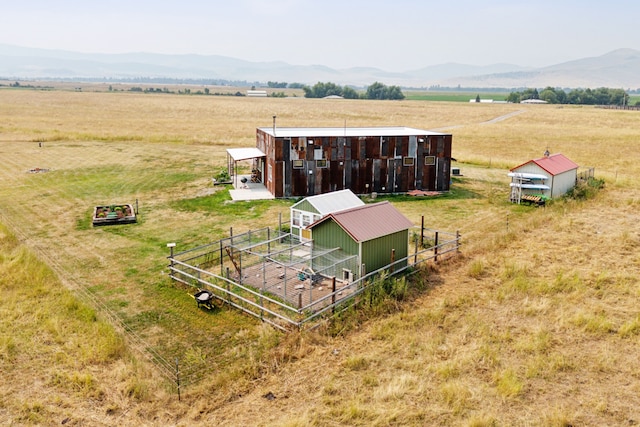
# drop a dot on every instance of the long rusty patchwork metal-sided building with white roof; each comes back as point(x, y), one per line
point(300, 162)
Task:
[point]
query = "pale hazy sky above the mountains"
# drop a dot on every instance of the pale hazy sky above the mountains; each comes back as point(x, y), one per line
point(394, 35)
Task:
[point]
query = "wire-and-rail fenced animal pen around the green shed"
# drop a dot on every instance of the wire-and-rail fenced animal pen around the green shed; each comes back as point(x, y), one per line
point(288, 283)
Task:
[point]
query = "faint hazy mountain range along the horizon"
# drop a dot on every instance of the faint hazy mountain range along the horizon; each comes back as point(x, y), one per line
point(616, 69)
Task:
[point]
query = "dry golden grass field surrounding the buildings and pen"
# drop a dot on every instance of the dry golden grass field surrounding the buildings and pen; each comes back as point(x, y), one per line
point(535, 323)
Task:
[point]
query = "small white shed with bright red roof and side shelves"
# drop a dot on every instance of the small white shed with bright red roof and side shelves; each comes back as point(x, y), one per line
point(547, 177)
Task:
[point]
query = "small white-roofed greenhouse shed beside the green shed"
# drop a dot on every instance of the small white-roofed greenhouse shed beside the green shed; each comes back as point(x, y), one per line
point(314, 208)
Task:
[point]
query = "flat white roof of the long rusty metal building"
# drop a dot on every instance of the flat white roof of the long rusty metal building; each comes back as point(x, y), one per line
point(345, 131)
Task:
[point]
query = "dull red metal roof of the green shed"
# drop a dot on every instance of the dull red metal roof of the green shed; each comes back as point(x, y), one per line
point(368, 222)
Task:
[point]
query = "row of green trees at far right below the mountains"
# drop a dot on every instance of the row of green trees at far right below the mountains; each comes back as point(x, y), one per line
point(599, 96)
